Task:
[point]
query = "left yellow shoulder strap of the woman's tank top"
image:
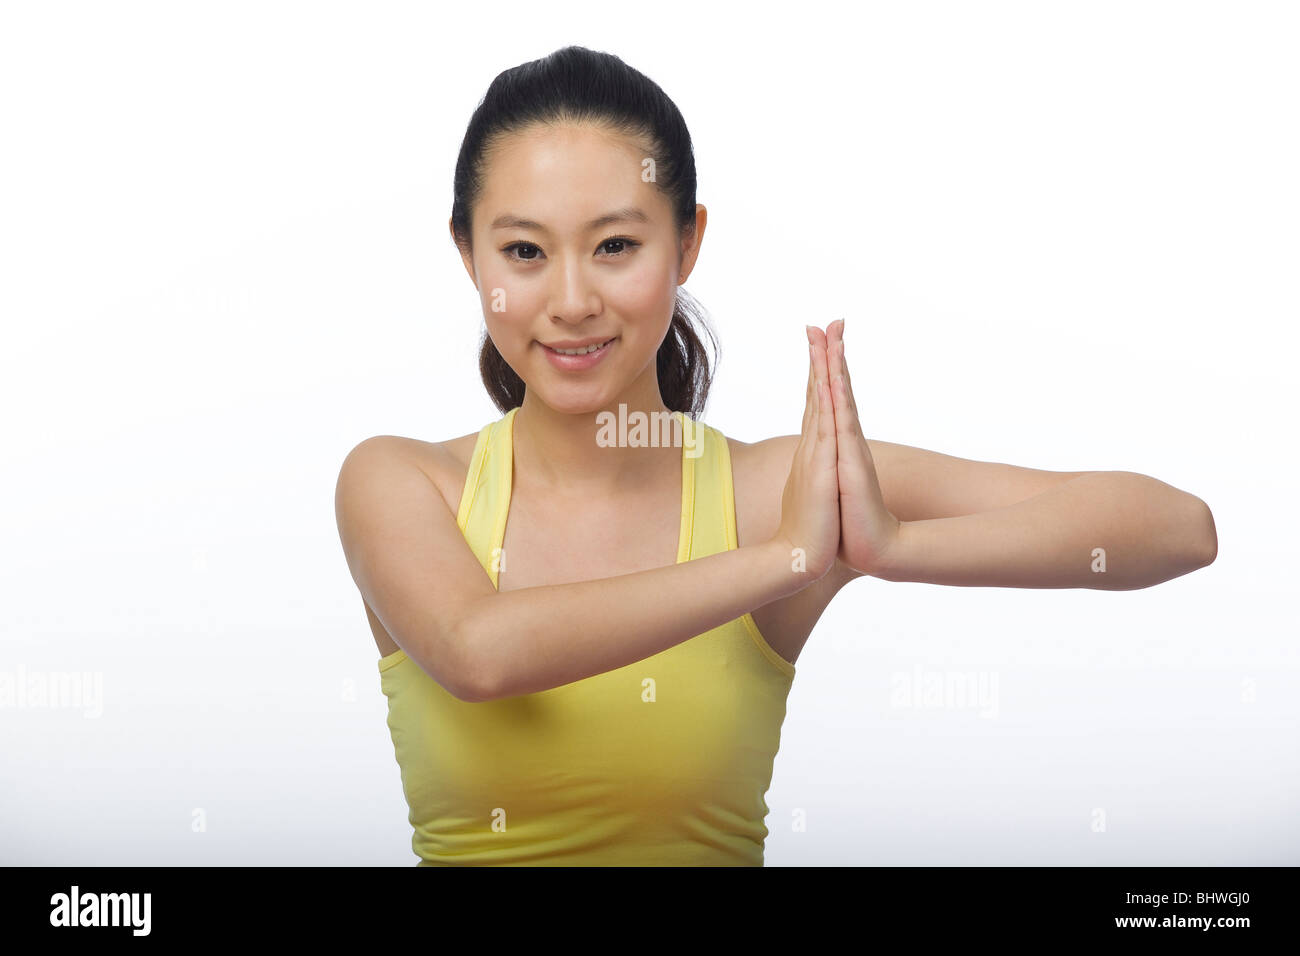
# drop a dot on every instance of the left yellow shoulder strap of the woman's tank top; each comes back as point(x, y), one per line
point(486, 499)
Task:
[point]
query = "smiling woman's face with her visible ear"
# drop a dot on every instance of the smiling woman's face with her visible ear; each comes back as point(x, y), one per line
point(573, 246)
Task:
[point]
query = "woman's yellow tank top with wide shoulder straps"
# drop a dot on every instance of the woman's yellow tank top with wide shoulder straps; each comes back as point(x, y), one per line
point(665, 762)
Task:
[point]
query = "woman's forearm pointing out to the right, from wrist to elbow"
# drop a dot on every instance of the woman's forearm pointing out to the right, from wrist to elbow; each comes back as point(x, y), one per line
point(1139, 530)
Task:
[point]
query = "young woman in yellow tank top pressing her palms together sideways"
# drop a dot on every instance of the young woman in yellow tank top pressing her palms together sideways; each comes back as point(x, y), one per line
point(588, 631)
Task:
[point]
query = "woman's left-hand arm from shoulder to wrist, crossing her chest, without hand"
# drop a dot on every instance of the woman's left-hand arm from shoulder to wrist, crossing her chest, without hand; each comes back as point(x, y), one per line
point(426, 586)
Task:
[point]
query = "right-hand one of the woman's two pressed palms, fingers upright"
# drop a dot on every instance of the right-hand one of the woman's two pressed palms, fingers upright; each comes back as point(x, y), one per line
point(868, 530)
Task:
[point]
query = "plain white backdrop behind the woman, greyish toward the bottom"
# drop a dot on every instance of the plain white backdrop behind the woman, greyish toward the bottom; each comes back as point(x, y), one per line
point(1061, 235)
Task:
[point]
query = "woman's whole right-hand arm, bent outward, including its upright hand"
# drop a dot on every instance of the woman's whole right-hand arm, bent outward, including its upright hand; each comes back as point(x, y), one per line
point(948, 521)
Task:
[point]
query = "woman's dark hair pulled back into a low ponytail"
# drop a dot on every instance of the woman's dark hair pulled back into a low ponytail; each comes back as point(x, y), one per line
point(582, 85)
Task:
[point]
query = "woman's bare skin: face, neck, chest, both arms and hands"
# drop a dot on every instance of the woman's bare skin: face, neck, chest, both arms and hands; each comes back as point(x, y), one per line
point(592, 531)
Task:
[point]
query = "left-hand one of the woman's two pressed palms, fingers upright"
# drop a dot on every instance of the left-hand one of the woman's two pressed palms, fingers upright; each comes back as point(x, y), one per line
point(811, 505)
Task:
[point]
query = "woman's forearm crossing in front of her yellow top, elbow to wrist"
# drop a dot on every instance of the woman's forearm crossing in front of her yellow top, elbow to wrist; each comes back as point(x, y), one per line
point(534, 639)
